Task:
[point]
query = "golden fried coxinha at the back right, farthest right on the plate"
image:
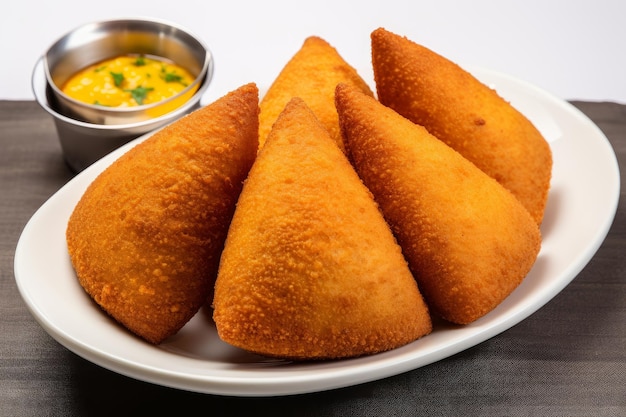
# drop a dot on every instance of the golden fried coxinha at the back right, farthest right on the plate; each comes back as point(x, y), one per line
point(450, 103)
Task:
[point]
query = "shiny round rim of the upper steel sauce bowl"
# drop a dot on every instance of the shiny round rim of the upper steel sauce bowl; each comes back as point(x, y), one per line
point(205, 74)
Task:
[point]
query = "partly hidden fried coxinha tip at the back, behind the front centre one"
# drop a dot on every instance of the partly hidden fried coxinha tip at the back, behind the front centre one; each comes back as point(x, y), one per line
point(311, 74)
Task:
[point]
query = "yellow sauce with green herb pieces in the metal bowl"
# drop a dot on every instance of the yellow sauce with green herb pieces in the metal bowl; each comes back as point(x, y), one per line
point(130, 80)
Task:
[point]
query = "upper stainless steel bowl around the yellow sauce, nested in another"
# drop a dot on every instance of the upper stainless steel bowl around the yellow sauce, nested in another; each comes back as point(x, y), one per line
point(95, 42)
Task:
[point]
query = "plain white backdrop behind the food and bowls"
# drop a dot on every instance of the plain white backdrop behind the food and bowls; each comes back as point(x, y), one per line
point(573, 49)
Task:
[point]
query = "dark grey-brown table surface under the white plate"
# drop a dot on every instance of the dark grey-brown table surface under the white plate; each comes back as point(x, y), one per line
point(567, 359)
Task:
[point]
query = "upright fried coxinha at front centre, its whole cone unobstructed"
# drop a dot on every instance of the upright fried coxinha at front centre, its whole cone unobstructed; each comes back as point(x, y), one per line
point(310, 269)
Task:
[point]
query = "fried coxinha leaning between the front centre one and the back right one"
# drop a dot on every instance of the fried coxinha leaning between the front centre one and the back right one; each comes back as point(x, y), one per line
point(468, 240)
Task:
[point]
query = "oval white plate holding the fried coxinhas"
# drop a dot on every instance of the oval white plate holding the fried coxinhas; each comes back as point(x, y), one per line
point(581, 207)
